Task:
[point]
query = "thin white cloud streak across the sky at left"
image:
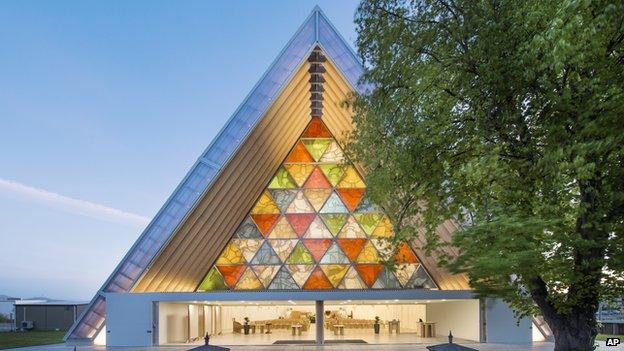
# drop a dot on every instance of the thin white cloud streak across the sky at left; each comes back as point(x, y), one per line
point(71, 205)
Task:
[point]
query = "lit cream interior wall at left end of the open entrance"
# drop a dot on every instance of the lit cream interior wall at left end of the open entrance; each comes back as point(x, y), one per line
point(172, 323)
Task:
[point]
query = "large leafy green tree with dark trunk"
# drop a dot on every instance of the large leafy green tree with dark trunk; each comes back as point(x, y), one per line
point(507, 117)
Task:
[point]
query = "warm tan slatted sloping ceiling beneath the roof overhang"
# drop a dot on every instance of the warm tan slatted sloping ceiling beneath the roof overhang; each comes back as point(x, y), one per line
point(196, 244)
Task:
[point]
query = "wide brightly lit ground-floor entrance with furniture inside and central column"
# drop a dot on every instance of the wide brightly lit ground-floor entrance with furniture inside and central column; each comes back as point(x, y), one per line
point(283, 322)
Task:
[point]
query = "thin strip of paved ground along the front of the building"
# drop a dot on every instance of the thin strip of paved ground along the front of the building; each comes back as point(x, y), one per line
point(353, 347)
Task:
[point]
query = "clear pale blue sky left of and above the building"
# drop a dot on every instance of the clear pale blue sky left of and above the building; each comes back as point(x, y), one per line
point(104, 107)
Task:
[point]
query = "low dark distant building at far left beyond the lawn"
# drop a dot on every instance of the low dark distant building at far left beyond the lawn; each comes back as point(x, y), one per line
point(47, 315)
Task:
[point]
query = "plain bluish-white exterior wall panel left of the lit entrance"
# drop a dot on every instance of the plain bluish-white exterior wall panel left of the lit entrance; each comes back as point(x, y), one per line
point(128, 320)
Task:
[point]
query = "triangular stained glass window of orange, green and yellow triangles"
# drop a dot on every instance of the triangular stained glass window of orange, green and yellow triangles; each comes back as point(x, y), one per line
point(314, 228)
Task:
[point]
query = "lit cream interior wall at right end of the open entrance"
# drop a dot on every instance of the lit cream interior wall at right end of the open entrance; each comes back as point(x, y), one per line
point(460, 317)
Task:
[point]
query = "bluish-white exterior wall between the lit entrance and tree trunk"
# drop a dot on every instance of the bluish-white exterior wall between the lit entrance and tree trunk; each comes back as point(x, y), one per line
point(501, 325)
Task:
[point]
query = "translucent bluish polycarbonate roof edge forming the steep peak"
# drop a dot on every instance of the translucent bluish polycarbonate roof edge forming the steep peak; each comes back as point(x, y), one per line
point(316, 30)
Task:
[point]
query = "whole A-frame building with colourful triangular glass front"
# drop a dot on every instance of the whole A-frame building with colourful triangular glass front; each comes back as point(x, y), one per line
point(274, 211)
